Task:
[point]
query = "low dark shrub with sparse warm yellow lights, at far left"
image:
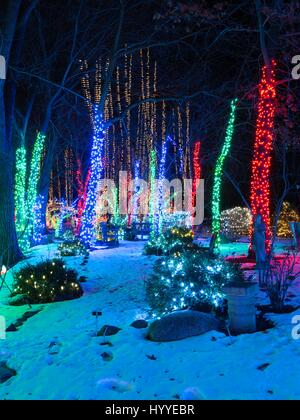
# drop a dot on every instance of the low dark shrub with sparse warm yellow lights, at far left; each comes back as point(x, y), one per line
point(46, 282)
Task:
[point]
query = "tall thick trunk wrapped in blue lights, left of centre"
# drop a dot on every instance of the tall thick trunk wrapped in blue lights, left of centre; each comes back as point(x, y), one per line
point(87, 232)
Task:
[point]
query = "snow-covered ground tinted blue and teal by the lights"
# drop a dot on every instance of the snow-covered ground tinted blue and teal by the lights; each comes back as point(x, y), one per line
point(263, 365)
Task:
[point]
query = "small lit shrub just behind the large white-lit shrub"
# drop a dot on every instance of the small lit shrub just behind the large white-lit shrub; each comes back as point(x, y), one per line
point(171, 241)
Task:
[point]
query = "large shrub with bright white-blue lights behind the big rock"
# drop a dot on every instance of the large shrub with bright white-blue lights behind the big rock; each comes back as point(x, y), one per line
point(190, 281)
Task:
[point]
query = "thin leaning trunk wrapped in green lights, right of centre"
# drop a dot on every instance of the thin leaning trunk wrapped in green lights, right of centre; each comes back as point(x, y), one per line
point(216, 196)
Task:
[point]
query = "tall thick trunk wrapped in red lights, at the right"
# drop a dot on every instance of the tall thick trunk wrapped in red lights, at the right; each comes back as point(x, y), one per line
point(263, 147)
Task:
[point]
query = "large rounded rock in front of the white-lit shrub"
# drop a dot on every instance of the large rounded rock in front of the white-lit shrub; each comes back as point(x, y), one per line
point(182, 324)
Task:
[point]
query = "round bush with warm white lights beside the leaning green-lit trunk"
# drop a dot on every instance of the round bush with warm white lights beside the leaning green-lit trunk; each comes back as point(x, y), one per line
point(235, 222)
